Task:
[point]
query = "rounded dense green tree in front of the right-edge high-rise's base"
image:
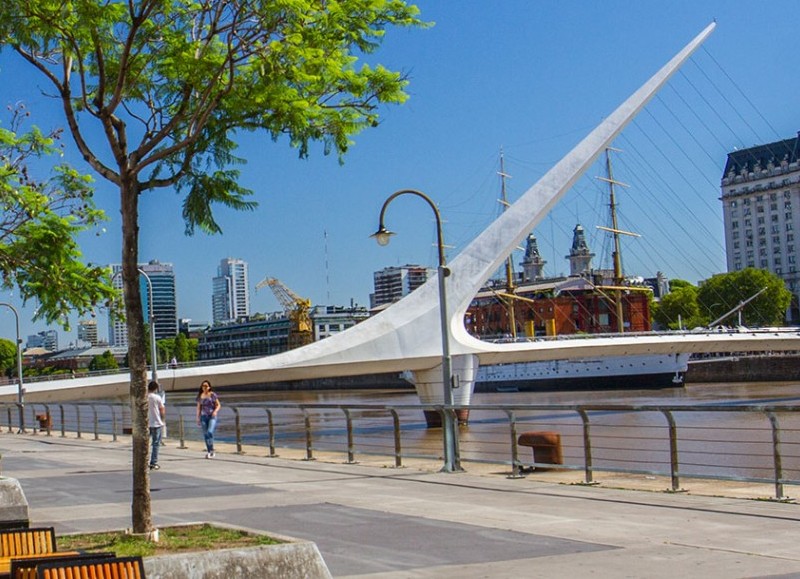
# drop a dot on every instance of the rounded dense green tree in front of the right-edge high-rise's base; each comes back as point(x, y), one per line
point(721, 293)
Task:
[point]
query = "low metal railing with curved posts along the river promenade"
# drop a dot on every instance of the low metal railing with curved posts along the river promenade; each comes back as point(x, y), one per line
point(749, 443)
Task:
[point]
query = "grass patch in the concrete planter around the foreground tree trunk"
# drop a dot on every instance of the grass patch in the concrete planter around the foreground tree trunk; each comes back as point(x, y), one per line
point(183, 539)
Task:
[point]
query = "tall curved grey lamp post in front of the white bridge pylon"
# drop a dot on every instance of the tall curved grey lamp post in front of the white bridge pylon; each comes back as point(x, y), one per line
point(382, 236)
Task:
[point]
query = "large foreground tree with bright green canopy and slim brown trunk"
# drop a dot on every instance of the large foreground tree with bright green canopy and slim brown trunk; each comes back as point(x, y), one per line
point(169, 84)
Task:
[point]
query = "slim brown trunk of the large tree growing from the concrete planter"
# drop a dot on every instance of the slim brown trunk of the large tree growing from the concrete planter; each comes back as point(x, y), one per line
point(141, 518)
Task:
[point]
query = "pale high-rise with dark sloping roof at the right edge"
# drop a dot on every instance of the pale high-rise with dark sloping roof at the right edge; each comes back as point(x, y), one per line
point(761, 210)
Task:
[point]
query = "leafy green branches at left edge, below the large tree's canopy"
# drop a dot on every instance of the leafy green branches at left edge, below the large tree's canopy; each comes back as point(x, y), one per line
point(40, 216)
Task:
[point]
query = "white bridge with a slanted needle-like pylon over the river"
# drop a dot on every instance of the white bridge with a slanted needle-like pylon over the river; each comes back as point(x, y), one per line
point(407, 335)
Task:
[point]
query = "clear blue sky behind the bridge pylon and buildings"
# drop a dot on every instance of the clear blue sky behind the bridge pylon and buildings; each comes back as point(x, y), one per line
point(526, 76)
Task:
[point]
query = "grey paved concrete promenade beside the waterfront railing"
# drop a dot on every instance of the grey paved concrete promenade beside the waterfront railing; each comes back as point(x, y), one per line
point(377, 521)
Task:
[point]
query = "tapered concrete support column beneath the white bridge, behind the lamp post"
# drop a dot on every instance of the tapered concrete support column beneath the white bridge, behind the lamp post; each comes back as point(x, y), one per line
point(430, 390)
